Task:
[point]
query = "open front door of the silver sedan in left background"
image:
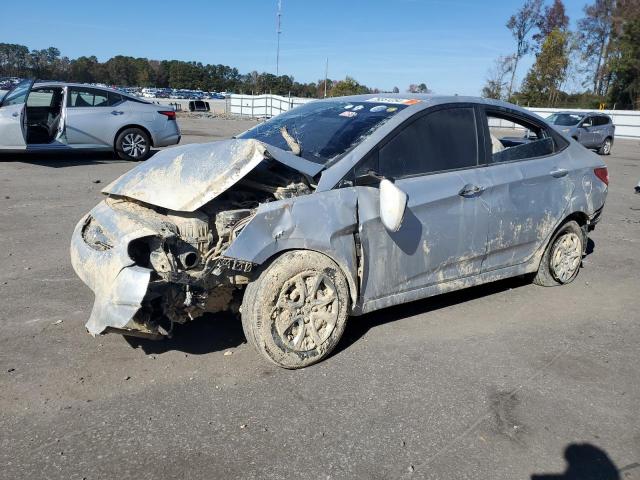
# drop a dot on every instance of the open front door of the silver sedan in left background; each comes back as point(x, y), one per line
point(12, 116)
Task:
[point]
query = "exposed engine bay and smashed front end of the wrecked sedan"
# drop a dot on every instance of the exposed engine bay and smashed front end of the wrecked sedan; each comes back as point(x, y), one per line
point(189, 273)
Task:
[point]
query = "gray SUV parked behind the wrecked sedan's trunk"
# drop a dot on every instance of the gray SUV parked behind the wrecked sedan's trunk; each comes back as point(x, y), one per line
point(593, 130)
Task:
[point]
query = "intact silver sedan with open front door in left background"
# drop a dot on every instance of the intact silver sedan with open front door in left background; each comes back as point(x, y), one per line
point(57, 116)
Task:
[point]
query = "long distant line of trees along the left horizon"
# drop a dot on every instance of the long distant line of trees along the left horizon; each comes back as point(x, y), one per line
point(49, 64)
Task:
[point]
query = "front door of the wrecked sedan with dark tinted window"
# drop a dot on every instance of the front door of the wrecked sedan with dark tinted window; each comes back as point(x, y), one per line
point(434, 159)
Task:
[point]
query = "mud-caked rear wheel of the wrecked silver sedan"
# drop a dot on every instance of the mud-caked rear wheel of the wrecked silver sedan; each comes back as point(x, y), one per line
point(562, 258)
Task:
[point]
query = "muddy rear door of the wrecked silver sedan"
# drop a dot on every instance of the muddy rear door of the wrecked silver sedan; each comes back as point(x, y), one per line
point(528, 190)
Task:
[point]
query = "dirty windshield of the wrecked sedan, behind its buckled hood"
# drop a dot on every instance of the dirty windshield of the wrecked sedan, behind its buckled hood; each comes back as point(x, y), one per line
point(320, 131)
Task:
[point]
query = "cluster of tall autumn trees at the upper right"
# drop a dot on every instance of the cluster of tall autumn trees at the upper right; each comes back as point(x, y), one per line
point(602, 55)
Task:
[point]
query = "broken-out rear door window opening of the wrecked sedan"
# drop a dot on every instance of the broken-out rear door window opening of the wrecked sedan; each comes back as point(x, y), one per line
point(513, 138)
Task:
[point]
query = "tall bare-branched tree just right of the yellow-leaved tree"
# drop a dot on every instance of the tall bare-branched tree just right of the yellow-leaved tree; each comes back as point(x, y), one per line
point(594, 32)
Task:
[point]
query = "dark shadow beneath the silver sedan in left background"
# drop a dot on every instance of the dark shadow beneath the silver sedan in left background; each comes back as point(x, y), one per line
point(65, 158)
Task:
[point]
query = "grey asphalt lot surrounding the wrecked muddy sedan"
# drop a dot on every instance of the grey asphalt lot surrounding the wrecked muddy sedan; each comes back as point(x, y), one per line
point(494, 382)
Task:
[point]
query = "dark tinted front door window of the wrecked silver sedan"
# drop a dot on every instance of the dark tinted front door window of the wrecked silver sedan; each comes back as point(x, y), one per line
point(441, 140)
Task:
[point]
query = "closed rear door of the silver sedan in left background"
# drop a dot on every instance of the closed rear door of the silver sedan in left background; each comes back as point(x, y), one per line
point(93, 116)
